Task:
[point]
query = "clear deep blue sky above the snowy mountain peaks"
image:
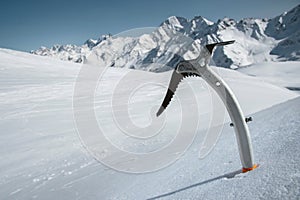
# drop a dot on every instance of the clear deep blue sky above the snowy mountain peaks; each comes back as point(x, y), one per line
point(28, 24)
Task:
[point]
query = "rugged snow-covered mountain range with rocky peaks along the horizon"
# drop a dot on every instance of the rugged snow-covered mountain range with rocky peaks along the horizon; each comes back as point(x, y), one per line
point(257, 40)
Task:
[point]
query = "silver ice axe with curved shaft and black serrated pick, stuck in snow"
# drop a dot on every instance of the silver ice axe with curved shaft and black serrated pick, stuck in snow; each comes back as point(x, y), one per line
point(199, 67)
